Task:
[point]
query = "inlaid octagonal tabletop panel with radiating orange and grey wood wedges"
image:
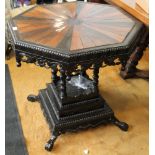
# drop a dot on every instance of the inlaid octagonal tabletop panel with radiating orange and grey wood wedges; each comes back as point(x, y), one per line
point(74, 26)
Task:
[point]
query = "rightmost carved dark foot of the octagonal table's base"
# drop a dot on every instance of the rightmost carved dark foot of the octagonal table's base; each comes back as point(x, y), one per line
point(122, 125)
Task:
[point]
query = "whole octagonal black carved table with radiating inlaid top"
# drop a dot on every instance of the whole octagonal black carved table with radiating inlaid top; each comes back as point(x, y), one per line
point(71, 38)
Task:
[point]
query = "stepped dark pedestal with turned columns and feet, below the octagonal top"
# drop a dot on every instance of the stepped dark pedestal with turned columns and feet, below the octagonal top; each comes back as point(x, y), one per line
point(72, 102)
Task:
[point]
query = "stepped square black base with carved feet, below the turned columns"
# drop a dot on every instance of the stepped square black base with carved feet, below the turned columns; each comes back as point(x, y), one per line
point(77, 113)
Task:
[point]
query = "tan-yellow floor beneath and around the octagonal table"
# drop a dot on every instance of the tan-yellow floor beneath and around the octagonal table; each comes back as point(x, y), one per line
point(128, 99)
